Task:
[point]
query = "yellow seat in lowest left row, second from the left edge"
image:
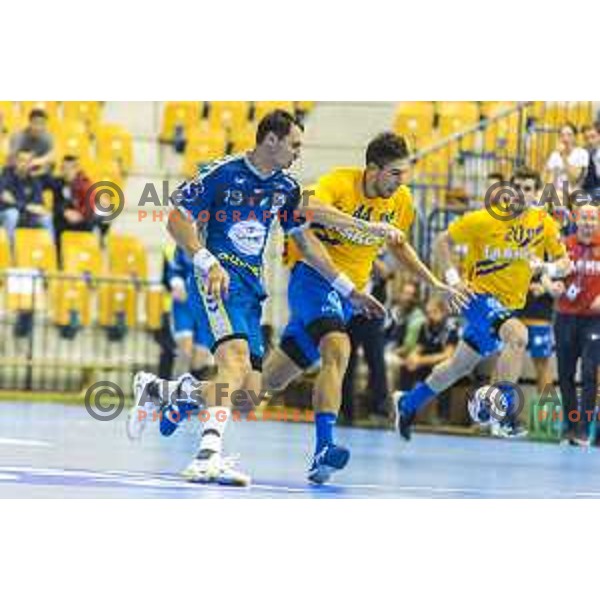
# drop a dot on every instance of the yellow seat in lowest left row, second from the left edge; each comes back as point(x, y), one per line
point(68, 296)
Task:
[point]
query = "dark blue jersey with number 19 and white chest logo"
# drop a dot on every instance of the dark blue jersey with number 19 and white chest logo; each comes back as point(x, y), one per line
point(236, 205)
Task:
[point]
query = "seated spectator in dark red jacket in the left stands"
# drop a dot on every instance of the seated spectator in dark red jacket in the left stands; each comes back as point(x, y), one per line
point(73, 209)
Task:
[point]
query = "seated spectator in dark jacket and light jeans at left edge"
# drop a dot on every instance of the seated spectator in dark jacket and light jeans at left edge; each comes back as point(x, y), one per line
point(21, 197)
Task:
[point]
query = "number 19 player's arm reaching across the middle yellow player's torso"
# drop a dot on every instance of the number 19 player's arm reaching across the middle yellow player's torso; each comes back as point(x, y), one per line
point(315, 254)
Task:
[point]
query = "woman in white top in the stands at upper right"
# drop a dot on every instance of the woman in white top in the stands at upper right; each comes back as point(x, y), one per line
point(566, 166)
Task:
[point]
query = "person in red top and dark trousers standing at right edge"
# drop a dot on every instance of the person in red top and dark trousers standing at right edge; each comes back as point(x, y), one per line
point(577, 326)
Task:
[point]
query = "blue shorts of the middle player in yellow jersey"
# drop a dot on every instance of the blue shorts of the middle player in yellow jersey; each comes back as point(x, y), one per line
point(315, 310)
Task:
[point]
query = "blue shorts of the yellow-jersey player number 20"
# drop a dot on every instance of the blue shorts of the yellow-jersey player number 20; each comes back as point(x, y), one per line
point(483, 318)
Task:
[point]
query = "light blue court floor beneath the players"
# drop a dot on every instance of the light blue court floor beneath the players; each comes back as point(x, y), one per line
point(55, 451)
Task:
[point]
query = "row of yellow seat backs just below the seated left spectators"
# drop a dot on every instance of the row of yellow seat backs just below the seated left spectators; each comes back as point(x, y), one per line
point(81, 253)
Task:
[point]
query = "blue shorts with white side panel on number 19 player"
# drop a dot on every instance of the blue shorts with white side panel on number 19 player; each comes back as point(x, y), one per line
point(238, 316)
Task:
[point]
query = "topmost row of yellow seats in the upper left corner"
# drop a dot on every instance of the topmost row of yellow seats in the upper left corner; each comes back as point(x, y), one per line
point(14, 115)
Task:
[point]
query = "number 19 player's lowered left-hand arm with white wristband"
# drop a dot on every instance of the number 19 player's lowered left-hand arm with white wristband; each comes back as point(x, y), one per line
point(206, 266)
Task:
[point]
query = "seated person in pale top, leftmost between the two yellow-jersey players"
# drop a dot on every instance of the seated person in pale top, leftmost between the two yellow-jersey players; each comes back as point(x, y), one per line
point(407, 318)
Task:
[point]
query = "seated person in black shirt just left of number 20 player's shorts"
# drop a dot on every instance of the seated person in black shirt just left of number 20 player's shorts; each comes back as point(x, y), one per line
point(436, 342)
